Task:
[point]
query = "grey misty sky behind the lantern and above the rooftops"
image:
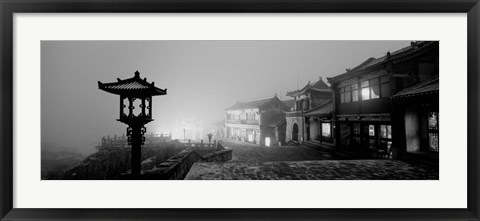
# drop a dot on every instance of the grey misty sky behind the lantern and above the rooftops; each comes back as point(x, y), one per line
point(202, 77)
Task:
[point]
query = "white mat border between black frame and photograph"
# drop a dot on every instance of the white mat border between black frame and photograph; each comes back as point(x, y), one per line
point(448, 192)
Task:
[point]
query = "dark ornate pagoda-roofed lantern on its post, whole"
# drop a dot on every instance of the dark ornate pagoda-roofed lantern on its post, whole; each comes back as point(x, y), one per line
point(131, 90)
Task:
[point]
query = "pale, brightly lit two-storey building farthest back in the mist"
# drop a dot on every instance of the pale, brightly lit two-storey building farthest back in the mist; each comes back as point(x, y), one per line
point(258, 122)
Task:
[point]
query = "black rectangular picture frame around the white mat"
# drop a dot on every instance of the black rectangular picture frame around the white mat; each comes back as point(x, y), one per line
point(9, 7)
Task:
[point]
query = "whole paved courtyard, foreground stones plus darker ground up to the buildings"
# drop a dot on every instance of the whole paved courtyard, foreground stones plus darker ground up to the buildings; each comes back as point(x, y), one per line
point(251, 162)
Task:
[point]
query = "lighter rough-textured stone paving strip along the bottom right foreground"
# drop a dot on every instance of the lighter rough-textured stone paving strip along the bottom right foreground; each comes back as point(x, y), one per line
point(313, 170)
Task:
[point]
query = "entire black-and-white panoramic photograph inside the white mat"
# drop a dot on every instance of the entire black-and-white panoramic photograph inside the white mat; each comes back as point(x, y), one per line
point(239, 110)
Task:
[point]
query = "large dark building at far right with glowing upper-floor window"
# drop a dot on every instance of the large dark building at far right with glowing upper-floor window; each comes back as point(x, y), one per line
point(389, 103)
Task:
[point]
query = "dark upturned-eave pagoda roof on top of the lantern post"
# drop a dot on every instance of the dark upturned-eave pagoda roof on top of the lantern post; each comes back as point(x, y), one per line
point(135, 86)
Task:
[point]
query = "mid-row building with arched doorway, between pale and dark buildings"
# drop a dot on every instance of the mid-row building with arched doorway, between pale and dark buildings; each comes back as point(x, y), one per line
point(310, 120)
